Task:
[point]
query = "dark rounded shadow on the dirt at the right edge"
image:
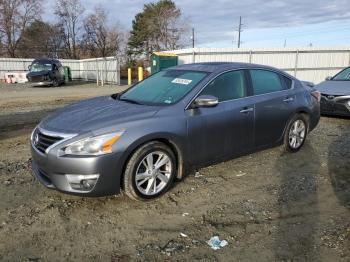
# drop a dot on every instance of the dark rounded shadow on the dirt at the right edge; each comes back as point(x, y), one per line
point(339, 166)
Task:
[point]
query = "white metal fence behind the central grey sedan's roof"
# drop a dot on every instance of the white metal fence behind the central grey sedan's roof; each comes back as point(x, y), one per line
point(309, 64)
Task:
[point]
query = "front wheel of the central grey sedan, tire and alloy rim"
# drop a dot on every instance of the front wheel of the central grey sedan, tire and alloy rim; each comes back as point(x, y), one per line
point(144, 183)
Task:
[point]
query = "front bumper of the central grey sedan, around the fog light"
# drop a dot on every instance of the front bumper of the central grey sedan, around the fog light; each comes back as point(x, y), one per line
point(51, 170)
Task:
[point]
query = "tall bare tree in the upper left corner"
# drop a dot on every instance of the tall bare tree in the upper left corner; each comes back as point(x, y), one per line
point(15, 17)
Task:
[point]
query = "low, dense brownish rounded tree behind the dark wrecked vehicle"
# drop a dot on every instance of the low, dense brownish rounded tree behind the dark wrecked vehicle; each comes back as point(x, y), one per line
point(41, 39)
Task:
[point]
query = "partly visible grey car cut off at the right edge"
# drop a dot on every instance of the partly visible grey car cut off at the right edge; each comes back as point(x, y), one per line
point(335, 94)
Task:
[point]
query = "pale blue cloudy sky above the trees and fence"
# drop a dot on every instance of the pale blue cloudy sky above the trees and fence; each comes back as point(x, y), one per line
point(269, 23)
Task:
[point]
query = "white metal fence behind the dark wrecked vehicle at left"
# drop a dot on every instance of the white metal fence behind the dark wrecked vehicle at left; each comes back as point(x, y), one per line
point(105, 70)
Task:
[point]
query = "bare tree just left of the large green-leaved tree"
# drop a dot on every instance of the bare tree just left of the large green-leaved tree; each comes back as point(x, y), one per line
point(100, 39)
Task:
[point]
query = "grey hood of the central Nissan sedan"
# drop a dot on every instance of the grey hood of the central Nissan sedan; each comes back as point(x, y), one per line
point(94, 114)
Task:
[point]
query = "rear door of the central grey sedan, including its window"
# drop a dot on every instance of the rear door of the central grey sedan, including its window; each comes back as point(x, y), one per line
point(274, 105)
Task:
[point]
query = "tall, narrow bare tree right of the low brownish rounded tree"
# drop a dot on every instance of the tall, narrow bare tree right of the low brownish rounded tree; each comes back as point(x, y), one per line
point(69, 13)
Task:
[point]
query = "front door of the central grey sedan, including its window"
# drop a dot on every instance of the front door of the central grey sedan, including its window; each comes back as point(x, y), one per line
point(227, 129)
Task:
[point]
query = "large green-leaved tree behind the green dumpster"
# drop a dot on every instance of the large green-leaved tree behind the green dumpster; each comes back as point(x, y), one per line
point(158, 27)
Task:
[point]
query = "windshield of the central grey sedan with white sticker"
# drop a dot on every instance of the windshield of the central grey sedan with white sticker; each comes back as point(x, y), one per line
point(164, 88)
